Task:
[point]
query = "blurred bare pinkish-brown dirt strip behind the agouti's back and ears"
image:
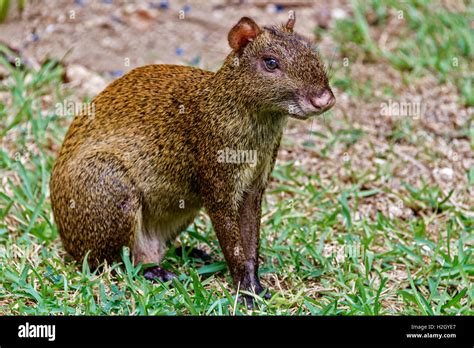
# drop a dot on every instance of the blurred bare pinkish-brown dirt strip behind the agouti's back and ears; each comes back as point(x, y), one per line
point(103, 36)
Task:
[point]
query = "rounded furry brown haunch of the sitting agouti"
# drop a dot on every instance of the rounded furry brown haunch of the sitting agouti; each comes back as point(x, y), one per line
point(95, 206)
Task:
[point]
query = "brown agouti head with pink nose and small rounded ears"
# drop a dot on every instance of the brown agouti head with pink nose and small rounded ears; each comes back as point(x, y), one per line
point(285, 73)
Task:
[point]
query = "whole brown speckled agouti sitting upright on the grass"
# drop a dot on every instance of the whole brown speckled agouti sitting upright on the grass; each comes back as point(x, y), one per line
point(136, 171)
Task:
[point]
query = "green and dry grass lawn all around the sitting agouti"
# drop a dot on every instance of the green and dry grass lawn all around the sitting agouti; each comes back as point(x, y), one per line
point(322, 253)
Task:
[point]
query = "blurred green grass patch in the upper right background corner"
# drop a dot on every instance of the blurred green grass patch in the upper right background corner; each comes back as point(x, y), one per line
point(416, 37)
